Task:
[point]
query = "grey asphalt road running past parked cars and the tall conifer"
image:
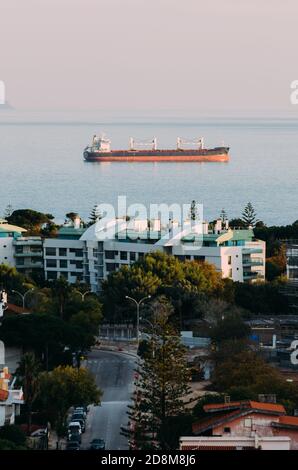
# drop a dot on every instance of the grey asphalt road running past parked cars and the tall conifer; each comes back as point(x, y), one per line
point(114, 376)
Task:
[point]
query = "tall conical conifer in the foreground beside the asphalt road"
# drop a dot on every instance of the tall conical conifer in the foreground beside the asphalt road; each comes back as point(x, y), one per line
point(161, 386)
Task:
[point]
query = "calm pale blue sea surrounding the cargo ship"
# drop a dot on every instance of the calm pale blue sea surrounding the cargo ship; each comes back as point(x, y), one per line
point(42, 167)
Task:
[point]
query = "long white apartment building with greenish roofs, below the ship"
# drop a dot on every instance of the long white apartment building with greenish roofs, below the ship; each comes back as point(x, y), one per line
point(89, 255)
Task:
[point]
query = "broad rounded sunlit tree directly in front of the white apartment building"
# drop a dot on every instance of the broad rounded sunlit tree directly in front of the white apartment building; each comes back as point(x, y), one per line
point(158, 274)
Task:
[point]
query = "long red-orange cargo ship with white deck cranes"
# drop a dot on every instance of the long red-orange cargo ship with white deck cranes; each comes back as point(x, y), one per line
point(147, 151)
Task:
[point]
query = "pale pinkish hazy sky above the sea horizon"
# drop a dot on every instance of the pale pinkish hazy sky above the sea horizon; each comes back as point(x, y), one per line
point(149, 54)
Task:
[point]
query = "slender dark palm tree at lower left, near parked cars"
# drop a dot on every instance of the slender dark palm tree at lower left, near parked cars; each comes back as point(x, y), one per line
point(28, 375)
